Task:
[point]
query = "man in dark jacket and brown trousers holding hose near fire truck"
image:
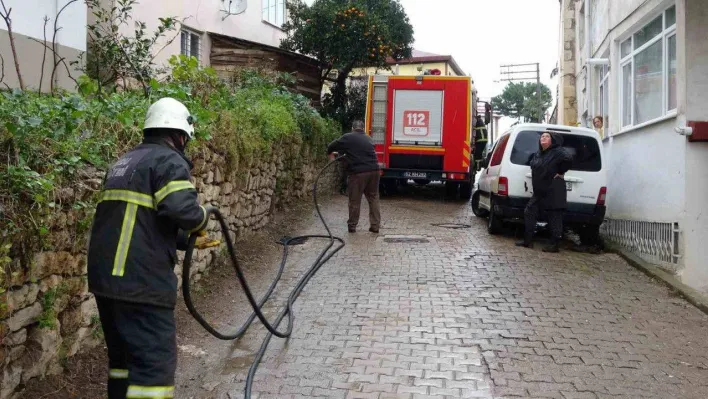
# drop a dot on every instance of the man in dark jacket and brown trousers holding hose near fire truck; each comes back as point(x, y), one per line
point(362, 170)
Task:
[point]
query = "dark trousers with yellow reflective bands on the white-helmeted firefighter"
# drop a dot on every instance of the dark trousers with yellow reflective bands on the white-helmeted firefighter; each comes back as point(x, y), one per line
point(142, 349)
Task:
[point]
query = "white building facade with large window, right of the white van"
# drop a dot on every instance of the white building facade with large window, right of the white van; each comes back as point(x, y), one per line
point(643, 66)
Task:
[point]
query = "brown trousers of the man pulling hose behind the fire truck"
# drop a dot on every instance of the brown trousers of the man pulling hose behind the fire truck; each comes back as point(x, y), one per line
point(367, 184)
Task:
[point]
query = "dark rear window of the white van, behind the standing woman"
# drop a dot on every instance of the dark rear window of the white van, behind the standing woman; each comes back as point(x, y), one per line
point(585, 151)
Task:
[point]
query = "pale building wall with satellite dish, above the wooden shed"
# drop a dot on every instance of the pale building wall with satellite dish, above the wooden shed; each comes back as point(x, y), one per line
point(206, 16)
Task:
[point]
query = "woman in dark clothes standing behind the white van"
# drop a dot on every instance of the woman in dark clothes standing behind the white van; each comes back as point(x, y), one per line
point(548, 166)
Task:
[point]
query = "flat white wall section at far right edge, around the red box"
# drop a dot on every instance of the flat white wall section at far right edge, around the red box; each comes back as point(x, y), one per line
point(693, 64)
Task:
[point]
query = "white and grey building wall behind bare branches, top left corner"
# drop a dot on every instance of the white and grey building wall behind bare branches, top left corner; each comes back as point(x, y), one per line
point(28, 24)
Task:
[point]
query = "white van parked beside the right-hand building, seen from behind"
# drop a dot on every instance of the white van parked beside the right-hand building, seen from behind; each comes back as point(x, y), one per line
point(504, 186)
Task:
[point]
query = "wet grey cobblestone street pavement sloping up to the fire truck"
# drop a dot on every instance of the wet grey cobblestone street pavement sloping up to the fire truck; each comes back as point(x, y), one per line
point(461, 314)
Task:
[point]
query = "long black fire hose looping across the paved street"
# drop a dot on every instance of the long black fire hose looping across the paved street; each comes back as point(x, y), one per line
point(334, 245)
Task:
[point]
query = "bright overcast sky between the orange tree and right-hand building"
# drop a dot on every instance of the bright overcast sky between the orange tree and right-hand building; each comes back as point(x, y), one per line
point(483, 34)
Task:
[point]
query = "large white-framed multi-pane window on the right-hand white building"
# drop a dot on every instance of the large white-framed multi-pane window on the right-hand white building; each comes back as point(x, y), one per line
point(648, 71)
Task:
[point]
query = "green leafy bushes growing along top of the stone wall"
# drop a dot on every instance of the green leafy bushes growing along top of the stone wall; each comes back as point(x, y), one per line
point(46, 140)
